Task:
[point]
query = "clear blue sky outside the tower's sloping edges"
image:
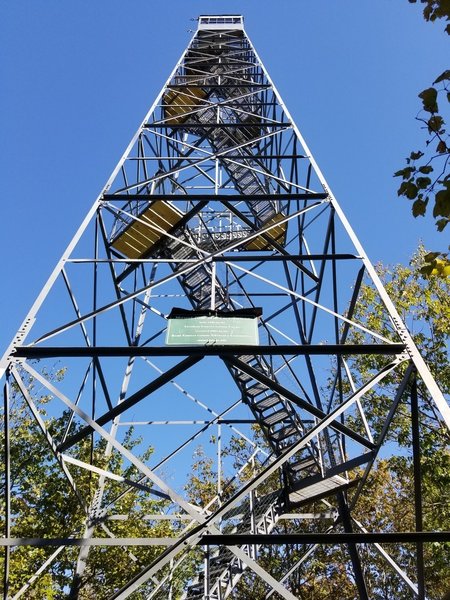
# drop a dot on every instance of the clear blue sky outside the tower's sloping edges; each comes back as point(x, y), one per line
point(78, 76)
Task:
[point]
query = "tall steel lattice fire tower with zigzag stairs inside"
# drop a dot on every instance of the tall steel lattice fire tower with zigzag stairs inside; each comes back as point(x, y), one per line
point(215, 220)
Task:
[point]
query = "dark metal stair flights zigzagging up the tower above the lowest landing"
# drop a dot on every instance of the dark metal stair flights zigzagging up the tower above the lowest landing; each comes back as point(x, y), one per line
point(276, 417)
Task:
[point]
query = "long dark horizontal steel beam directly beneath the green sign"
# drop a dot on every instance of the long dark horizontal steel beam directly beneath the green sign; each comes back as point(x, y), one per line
point(216, 350)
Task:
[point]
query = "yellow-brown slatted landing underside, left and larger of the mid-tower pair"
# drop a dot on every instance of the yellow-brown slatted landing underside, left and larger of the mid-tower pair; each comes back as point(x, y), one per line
point(138, 237)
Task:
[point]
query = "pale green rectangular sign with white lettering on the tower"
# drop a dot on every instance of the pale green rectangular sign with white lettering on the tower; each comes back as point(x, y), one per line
point(204, 331)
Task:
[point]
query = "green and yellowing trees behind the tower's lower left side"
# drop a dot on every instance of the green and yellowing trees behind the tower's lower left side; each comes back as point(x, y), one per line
point(44, 505)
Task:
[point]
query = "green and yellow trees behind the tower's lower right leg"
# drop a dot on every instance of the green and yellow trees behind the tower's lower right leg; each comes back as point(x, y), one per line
point(423, 304)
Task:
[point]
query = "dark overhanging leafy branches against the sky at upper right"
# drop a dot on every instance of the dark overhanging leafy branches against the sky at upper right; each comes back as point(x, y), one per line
point(426, 175)
